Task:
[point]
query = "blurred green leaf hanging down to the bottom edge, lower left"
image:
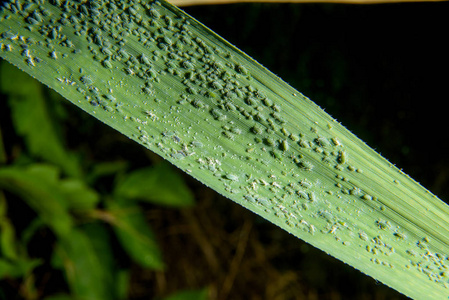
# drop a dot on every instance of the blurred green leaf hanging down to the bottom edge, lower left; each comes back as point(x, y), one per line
point(85, 274)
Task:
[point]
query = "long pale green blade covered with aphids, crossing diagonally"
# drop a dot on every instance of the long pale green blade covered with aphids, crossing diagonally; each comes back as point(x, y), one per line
point(160, 77)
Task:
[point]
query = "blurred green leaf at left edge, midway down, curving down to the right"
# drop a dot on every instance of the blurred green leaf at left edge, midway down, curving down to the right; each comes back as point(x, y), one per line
point(38, 186)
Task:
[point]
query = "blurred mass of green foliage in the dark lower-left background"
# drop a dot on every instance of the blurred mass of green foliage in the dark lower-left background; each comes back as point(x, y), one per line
point(45, 186)
